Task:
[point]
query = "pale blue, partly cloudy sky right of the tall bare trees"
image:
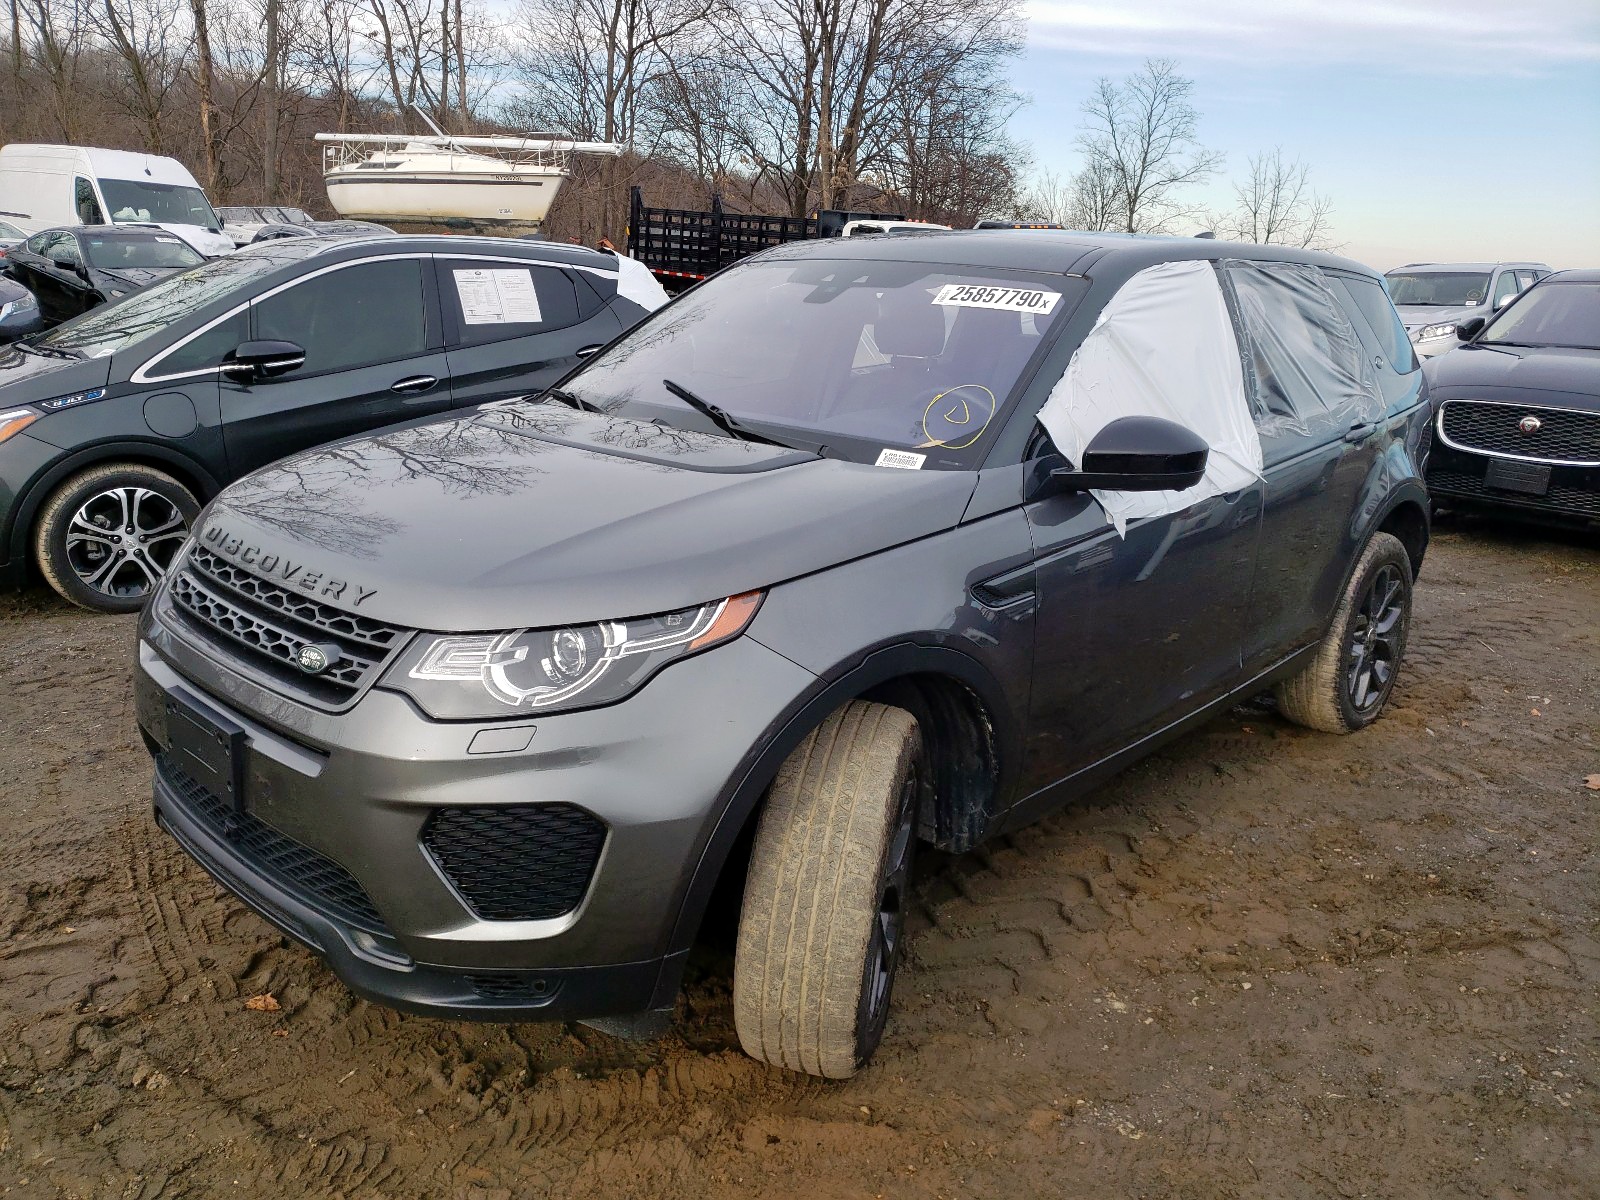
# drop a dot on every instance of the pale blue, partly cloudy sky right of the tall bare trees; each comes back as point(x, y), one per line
point(1444, 130)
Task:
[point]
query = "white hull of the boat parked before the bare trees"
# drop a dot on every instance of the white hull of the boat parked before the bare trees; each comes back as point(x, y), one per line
point(506, 204)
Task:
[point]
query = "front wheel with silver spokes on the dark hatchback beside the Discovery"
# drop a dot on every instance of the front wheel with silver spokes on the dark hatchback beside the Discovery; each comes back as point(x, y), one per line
point(106, 537)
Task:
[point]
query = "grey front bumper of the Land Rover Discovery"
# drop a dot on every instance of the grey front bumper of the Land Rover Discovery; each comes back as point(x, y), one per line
point(348, 798)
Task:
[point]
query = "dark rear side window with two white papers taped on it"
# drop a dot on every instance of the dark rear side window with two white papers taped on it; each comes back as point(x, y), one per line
point(497, 302)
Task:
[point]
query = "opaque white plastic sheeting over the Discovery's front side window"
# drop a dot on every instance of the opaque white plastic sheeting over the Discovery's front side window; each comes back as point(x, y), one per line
point(1164, 346)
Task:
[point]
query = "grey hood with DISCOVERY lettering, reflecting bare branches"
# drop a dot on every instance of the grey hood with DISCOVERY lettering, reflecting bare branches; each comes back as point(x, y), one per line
point(524, 514)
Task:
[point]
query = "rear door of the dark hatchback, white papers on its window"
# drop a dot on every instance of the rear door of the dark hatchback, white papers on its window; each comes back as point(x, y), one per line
point(516, 326)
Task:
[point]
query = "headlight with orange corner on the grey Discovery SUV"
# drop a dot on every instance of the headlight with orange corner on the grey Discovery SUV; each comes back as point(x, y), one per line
point(484, 676)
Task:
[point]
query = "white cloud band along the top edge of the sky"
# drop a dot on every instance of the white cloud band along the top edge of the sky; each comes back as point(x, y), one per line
point(1486, 38)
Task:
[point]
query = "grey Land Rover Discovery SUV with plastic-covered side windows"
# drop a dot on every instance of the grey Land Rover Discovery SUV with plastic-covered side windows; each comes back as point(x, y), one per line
point(860, 545)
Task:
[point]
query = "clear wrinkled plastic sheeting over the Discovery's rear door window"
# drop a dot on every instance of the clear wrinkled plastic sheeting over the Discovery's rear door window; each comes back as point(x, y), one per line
point(1305, 361)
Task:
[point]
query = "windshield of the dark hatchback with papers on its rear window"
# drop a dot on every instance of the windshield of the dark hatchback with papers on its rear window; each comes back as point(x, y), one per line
point(148, 313)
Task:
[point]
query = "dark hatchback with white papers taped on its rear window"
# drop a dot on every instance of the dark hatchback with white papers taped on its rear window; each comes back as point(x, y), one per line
point(118, 426)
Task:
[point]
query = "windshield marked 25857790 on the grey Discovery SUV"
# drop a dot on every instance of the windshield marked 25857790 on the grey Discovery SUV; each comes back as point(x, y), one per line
point(910, 362)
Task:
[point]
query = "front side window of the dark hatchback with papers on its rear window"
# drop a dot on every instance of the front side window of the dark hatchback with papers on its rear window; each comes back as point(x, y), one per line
point(372, 313)
